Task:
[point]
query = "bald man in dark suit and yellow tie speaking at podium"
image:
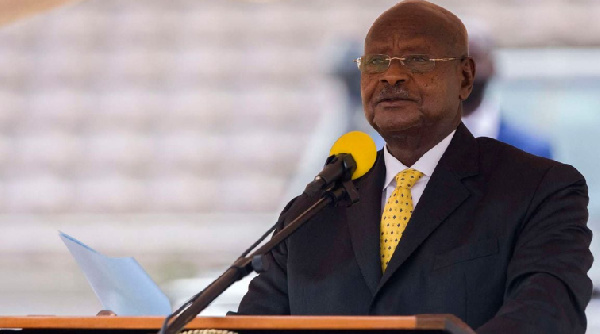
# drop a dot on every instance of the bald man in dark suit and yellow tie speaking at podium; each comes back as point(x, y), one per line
point(497, 237)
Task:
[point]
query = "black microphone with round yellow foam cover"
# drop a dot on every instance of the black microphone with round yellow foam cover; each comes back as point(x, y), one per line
point(350, 157)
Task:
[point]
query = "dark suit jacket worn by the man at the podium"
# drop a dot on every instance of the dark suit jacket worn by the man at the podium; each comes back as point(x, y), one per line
point(499, 239)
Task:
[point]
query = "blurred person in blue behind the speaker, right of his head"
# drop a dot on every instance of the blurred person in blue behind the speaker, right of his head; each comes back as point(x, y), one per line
point(481, 115)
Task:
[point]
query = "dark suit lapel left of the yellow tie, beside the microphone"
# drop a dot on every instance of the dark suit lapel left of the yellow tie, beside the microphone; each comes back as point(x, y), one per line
point(363, 223)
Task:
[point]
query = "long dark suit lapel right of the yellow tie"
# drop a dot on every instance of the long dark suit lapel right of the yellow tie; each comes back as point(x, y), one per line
point(444, 193)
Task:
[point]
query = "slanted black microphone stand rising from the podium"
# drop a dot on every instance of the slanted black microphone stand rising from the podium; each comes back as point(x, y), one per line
point(244, 265)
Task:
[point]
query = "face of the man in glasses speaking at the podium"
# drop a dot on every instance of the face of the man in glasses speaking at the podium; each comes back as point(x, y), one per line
point(398, 102)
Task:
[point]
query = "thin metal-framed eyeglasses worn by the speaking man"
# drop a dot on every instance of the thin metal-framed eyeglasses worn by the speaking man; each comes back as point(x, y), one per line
point(415, 63)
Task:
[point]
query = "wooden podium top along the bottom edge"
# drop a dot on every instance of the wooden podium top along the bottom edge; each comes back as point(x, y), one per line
point(420, 324)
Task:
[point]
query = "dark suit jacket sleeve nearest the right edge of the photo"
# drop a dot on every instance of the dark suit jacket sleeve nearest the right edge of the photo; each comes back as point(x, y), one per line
point(547, 287)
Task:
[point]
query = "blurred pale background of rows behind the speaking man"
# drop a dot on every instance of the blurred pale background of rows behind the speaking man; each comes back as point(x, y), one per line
point(175, 131)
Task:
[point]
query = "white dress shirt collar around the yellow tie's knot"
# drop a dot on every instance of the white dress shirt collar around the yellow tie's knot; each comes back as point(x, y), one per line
point(426, 165)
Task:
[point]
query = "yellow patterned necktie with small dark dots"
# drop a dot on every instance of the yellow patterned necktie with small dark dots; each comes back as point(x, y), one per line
point(396, 214)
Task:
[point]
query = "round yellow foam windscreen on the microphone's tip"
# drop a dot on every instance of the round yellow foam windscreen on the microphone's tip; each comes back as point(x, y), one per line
point(362, 148)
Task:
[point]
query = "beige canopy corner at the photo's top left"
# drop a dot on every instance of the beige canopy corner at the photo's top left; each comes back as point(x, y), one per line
point(13, 10)
